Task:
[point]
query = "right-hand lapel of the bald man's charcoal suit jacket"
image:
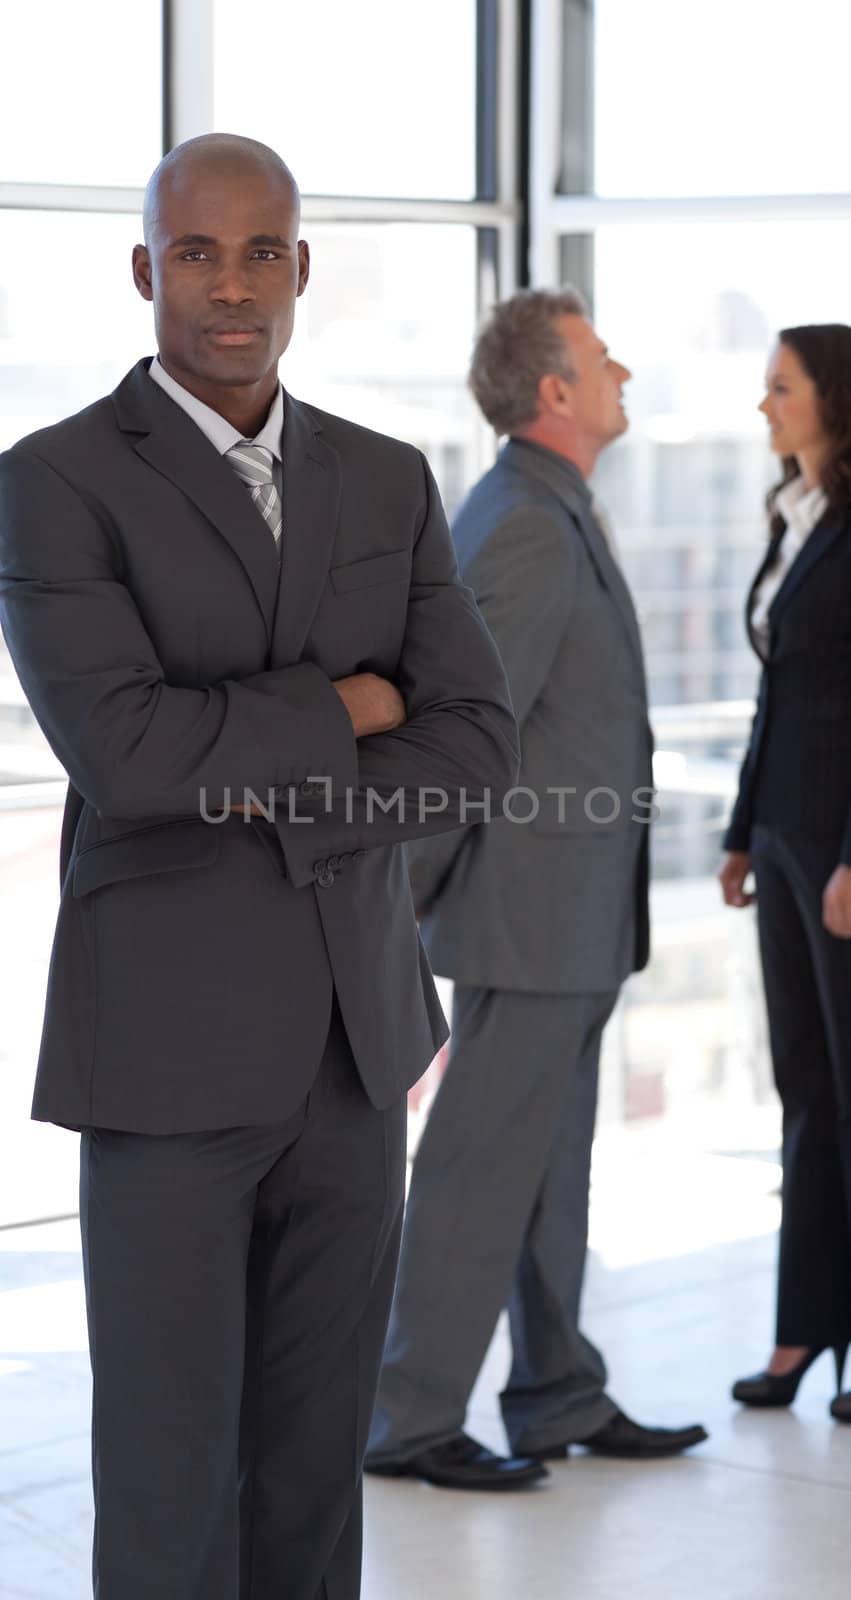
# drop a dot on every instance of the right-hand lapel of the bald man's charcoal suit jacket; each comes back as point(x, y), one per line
point(311, 506)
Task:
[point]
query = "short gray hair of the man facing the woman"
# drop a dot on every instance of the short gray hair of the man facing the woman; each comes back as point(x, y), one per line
point(517, 346)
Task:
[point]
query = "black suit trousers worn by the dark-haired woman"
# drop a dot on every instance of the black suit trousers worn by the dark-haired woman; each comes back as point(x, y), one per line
point(809, 991)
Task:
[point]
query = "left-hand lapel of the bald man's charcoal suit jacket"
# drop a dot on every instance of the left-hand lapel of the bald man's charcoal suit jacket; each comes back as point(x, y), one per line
point(175, 447)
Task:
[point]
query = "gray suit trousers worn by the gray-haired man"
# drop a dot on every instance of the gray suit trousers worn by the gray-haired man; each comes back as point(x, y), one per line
point(498, 1218)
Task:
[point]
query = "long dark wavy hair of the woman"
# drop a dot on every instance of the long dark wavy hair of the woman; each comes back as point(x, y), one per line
point(825, 353)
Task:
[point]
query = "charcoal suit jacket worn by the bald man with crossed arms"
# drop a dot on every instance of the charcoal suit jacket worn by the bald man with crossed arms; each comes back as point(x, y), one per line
point(169, 662)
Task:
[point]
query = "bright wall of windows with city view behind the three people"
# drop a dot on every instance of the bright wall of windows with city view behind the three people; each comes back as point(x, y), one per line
point(697, 223)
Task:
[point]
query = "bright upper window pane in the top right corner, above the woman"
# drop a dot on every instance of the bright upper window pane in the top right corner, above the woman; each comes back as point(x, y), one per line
point(733, 98)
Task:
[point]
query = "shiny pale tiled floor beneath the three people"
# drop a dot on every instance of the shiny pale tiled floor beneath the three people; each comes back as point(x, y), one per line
point(761, 1513)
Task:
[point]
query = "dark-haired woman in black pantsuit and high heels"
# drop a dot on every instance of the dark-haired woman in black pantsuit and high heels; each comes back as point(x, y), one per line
point(793, 828)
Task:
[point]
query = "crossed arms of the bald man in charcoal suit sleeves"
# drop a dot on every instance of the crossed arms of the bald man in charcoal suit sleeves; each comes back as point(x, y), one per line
point(138, 746)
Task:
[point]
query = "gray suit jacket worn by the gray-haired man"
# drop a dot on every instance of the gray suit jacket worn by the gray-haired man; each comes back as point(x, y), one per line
point(561, 903)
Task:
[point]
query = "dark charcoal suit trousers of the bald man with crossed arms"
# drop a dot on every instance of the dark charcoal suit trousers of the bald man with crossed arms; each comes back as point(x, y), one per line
point(239, 1286)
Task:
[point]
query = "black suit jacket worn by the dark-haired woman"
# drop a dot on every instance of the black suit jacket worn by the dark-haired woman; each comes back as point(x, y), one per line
point(797, 769)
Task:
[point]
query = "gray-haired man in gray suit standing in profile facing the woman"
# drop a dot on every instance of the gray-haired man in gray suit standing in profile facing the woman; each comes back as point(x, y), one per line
point(538, 922)
